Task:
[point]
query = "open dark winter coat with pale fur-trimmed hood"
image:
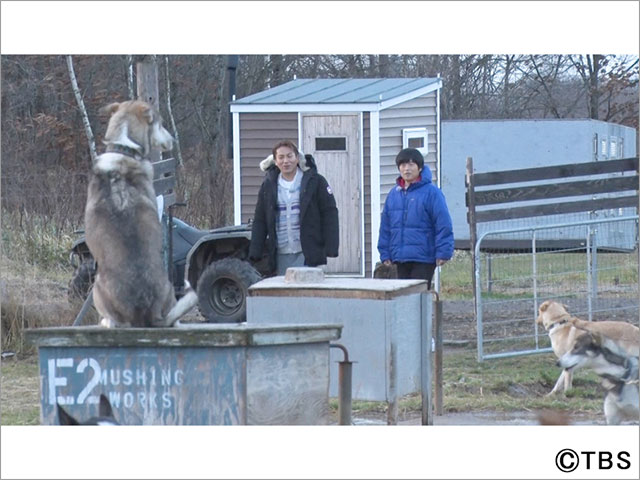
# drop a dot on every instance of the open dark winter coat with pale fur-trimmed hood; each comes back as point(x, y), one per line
point(318, 216)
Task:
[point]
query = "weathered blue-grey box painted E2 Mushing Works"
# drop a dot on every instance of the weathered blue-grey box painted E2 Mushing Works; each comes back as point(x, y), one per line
point(207, 374)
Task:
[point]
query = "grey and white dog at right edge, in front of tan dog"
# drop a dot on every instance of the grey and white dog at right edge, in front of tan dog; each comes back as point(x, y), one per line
point(618, 370)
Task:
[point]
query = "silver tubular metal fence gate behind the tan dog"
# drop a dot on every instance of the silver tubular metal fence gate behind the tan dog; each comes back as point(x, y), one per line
point(594, 281)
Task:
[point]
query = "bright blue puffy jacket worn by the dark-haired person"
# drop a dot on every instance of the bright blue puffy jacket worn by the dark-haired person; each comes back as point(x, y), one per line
point(416, 225)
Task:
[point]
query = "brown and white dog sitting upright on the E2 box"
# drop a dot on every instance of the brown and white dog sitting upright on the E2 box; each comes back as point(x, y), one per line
point(122, 227)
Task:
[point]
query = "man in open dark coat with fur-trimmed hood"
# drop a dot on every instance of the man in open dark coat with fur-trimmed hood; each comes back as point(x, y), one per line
point(296, 218)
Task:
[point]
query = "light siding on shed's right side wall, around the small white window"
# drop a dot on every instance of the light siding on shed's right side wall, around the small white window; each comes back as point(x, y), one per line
point(419, 112)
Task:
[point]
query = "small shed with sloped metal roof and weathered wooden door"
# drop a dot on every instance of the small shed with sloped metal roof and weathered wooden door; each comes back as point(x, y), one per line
point(354, 128)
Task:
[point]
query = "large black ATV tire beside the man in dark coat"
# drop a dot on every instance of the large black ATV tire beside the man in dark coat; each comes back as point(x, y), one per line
point(222, 290)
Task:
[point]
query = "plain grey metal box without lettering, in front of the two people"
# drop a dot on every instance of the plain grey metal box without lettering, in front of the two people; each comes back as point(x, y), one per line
point(386, 328)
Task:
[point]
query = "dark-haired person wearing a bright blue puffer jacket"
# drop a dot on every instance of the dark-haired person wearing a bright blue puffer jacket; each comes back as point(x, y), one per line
point(415, 232)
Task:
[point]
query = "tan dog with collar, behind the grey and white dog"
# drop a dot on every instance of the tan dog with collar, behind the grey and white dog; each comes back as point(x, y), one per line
point(564, 329)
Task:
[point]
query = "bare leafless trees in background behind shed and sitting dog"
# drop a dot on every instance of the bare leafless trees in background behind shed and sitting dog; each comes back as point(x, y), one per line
point(45, 153)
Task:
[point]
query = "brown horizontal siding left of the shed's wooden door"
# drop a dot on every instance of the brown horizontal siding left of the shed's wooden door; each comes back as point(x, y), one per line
point(258, 134)
